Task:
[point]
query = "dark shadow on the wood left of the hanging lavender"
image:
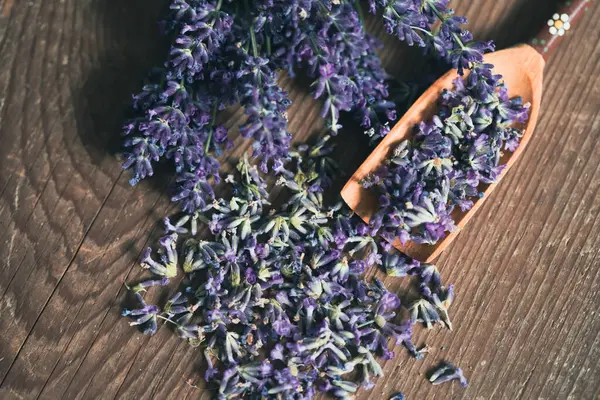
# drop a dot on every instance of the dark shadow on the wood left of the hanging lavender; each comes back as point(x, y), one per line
point(131, 46)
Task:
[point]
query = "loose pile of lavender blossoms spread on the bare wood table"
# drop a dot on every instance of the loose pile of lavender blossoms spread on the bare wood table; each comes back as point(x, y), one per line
point(274, 297)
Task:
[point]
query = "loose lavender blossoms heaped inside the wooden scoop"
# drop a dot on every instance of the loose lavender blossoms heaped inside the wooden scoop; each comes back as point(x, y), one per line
point(448, 158)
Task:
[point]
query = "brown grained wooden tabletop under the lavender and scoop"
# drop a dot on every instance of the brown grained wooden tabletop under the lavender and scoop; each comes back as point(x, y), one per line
point(527, 317)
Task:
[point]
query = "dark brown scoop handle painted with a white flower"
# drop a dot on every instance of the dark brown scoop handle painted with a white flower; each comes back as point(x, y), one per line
point(559, 25)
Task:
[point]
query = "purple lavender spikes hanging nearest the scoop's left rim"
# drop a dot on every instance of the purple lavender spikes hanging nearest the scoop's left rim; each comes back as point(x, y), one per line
point(327, 39)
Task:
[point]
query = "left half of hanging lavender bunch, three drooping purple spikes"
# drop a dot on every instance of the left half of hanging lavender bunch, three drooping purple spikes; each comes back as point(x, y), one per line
point(213, 63)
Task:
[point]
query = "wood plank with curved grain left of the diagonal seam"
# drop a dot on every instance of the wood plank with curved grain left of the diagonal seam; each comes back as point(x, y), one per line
point(60, 183)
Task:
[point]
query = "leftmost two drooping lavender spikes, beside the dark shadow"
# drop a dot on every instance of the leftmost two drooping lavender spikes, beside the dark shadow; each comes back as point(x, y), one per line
point(178, 108)
